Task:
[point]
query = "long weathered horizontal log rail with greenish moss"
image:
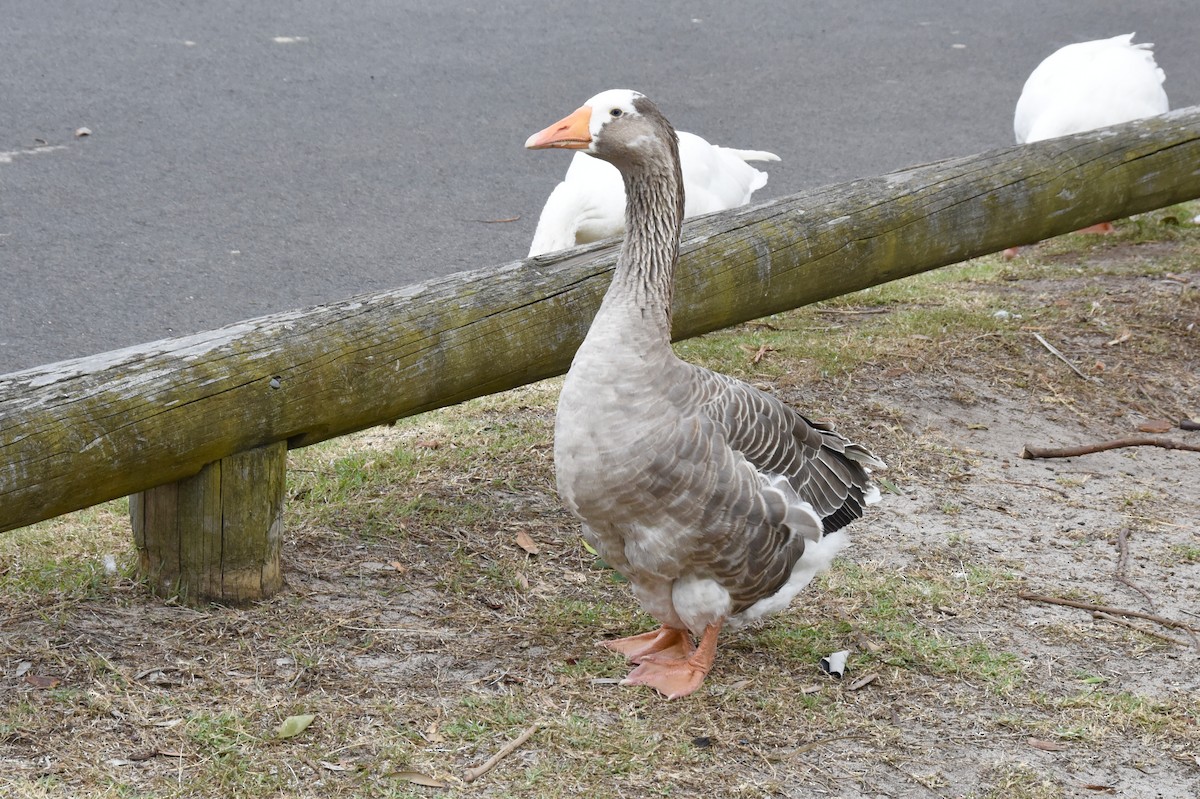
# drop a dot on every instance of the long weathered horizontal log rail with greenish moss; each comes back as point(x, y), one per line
point(81, 432)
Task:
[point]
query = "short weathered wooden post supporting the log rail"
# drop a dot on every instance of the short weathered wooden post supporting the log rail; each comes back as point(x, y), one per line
point(215, 537)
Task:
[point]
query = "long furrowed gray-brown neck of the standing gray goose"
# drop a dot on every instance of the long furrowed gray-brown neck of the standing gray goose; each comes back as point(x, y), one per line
point(645, 273)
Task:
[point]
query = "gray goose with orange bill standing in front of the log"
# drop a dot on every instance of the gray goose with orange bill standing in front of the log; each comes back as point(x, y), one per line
point(718, 502)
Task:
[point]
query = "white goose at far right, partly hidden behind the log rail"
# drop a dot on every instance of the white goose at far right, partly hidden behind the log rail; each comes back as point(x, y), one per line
point(1089, 86)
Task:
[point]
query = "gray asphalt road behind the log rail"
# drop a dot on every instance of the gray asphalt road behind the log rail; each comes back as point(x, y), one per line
point(247, 159)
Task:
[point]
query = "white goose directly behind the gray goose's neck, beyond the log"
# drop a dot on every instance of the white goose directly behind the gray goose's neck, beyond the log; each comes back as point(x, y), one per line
point(590, 205)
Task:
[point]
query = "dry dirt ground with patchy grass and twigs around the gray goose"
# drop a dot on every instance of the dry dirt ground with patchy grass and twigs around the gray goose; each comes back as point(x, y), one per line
point(423, 630)
